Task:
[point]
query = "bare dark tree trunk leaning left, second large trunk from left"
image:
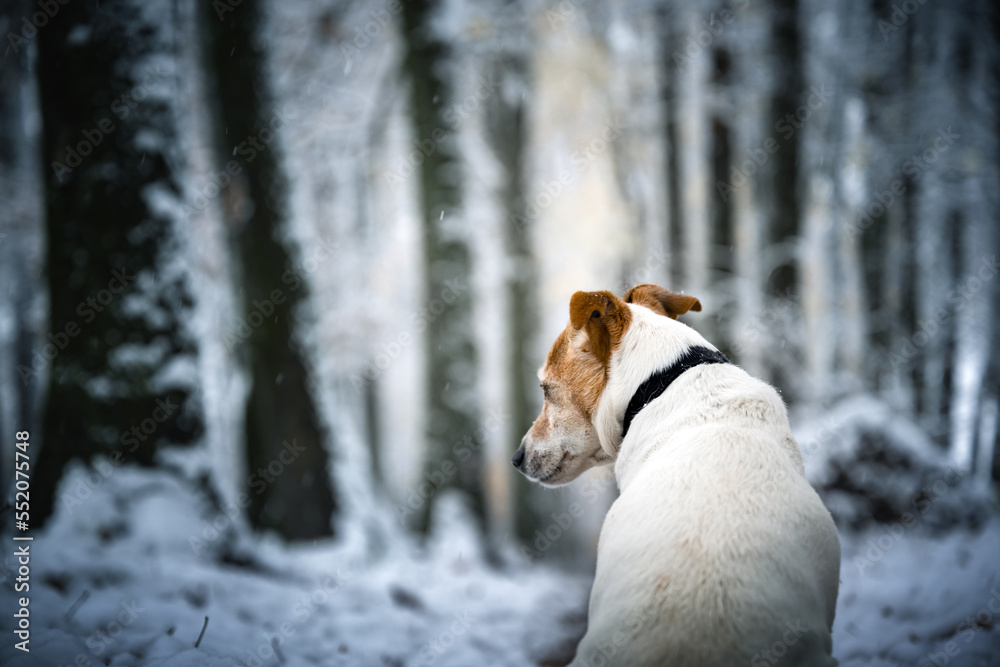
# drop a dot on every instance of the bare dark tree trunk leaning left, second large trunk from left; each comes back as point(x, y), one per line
point(281, 415)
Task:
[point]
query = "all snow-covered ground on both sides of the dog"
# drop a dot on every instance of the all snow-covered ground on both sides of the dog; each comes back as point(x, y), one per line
point(116, 581)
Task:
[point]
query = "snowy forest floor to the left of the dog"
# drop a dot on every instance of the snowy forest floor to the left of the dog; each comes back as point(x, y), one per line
point(127, 545)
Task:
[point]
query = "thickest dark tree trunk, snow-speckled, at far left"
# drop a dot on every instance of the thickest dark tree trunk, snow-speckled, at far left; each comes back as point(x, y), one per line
point(117, 308)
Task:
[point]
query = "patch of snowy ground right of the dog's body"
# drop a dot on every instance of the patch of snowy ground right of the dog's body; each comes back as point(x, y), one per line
point(907, 600)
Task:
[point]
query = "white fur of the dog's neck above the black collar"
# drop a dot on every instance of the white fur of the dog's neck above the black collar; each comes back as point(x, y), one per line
point(651, 343)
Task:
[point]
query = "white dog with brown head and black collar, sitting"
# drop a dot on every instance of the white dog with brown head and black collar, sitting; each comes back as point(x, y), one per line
point(717, 551)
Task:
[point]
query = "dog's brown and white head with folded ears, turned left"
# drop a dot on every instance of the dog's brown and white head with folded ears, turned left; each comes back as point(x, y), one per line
point(563, 442)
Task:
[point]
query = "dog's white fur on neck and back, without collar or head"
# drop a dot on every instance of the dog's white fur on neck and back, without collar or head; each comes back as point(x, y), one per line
point(717, 549)
